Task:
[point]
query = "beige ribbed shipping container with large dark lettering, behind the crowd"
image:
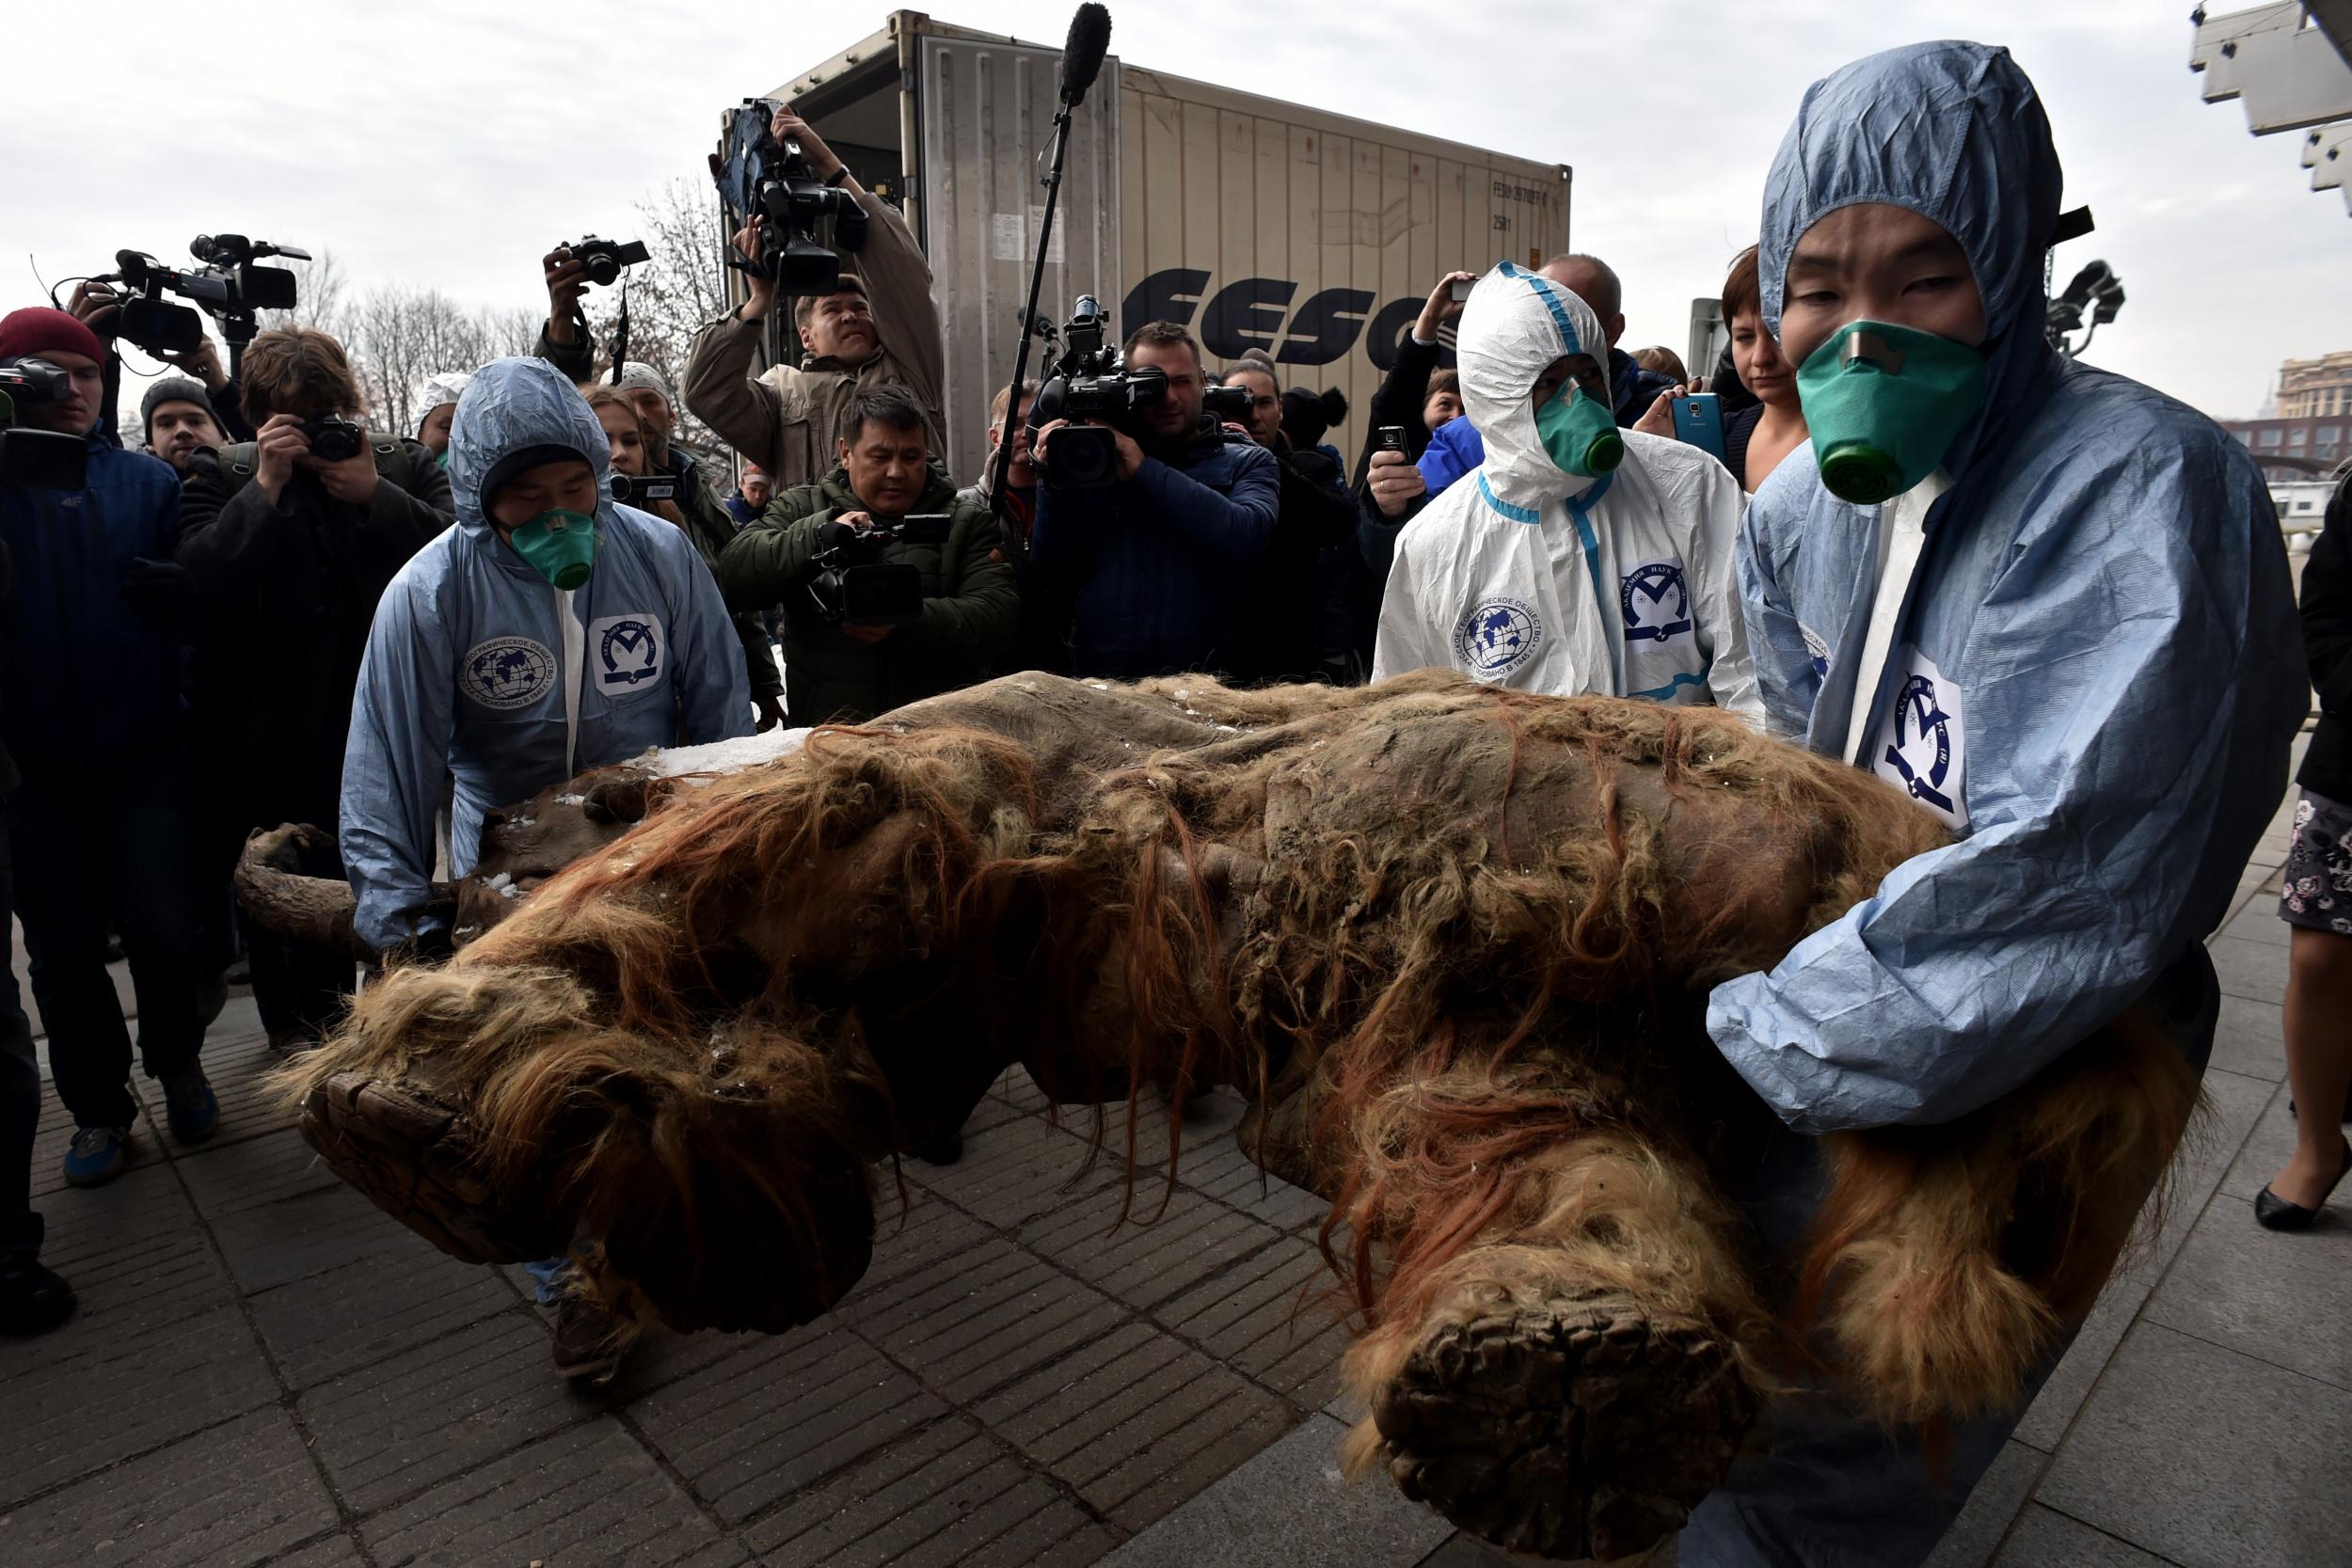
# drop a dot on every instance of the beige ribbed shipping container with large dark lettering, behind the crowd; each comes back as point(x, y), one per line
point(1259, 225)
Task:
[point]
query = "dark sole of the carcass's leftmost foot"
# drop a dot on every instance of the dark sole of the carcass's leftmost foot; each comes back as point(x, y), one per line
point(417, 1158)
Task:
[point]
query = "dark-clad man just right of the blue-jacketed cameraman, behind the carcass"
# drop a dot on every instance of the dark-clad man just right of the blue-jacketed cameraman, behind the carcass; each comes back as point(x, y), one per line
point(1288, 610)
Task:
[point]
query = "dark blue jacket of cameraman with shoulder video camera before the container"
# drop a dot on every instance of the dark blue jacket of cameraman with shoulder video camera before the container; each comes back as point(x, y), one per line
point(1154, 570)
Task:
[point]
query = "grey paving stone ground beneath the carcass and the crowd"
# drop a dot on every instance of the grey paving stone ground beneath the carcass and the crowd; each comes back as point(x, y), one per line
point(267, 1372)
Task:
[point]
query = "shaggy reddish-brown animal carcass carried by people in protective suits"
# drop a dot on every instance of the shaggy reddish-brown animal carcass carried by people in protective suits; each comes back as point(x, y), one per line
point(1452, 942)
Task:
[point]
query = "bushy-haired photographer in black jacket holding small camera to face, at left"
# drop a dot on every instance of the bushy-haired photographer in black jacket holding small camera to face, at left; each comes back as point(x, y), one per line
point(288, 554)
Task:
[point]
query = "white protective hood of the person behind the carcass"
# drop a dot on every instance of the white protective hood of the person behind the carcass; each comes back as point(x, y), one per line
point(1509, 335)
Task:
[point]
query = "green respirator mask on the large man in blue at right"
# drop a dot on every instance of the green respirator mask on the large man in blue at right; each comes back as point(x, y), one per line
point(1885, 406)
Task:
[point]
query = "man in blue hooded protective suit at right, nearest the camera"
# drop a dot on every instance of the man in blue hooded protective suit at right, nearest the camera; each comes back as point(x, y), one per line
point(2047, 603)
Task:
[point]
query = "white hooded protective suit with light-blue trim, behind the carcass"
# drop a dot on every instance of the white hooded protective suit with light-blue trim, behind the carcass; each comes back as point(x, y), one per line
point(1546, 582)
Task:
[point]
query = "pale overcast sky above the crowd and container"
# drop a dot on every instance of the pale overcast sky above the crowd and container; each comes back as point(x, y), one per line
point(448, 142)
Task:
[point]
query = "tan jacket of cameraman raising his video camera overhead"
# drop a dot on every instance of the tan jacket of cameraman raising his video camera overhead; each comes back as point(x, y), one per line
point(784, 420)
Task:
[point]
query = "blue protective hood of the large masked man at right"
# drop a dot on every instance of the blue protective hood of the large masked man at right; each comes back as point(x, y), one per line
point(1953, 133)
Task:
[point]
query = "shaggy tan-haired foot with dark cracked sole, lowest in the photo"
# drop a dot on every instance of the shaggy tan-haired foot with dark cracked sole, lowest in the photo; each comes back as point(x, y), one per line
point(1575, 1381)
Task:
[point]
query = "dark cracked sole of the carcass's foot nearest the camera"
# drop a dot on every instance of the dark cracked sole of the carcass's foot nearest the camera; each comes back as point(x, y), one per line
point(1572, 1430)
